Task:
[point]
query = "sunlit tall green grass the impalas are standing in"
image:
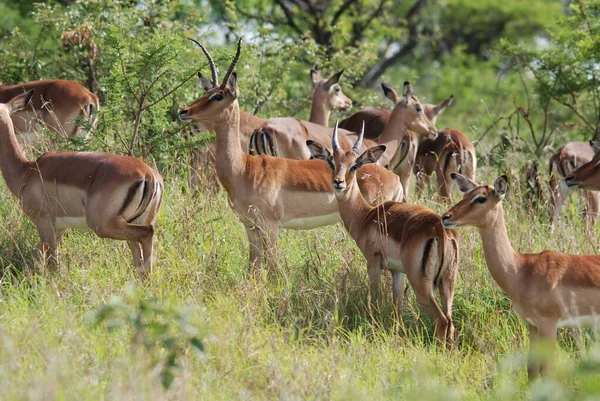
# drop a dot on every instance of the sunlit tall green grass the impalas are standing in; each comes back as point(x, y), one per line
point(304, 333)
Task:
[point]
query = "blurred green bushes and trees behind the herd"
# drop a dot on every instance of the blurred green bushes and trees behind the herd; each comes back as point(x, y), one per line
point(524, 73)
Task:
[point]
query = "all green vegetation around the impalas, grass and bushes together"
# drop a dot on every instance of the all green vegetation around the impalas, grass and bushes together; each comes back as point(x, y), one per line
point(525, 77)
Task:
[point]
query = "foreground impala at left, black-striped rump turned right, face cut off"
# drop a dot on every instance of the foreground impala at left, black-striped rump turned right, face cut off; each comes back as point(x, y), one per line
point(115, 196)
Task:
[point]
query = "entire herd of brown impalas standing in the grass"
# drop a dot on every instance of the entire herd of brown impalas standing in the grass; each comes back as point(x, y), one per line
point(289, 173)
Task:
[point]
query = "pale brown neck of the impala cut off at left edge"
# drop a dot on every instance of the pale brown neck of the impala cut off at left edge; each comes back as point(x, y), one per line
point(13, 163)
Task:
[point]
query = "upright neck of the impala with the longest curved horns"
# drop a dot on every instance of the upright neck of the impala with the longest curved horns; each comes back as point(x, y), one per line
point(229, 149)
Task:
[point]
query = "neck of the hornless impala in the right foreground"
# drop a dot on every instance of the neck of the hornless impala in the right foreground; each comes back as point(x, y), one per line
point(499, 253)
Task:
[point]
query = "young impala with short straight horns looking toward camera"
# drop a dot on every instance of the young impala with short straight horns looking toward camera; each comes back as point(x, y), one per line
point(400, 237)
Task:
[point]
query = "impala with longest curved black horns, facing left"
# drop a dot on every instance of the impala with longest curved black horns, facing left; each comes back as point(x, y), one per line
point(268, 193)
